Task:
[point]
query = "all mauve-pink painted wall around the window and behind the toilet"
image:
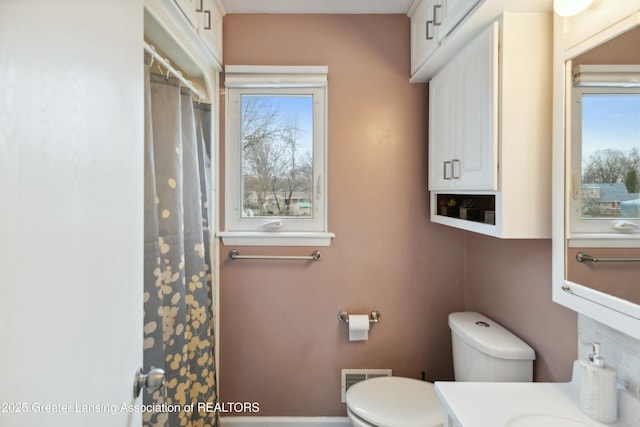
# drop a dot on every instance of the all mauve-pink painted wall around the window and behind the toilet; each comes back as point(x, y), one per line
point(281, 342)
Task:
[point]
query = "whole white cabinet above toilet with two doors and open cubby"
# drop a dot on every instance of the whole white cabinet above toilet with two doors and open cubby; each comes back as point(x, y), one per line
point(490, 130)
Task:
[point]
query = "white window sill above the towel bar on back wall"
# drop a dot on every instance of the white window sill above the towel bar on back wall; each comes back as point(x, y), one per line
point(270, 238)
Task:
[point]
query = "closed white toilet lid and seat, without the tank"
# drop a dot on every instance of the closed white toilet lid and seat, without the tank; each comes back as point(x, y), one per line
point(396, 402)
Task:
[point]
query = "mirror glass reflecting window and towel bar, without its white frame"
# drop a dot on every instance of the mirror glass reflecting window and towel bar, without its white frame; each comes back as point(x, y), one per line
point(604, 166)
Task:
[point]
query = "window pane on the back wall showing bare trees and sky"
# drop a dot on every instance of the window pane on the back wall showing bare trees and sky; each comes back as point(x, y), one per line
point(277, 159)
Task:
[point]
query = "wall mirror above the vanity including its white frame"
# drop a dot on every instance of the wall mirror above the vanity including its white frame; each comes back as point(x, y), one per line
point(599, 238)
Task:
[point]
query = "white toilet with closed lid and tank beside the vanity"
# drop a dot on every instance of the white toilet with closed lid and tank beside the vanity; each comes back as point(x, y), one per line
point(482, 351)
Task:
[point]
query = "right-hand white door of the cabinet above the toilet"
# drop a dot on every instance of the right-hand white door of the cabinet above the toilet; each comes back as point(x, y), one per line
point(474, 166)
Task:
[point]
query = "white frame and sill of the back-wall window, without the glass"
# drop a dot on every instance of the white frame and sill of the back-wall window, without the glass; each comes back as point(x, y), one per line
point(277, 231)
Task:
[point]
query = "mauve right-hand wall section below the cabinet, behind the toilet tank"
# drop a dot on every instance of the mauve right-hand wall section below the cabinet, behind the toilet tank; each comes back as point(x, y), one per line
point(510, 281)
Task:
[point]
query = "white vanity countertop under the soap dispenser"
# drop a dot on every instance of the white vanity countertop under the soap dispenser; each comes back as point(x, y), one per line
point(472, 404)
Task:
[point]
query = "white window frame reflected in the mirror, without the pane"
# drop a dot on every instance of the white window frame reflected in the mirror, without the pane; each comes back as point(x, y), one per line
point(596, 232)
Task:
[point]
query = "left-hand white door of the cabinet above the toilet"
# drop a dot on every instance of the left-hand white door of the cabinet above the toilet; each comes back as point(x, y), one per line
point(442, 128)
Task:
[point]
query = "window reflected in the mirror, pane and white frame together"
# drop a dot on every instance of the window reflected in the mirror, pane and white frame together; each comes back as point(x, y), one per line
point(605, 160)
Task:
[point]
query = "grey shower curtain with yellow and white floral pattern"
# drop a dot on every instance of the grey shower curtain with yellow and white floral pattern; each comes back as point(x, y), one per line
point(178, 324)
